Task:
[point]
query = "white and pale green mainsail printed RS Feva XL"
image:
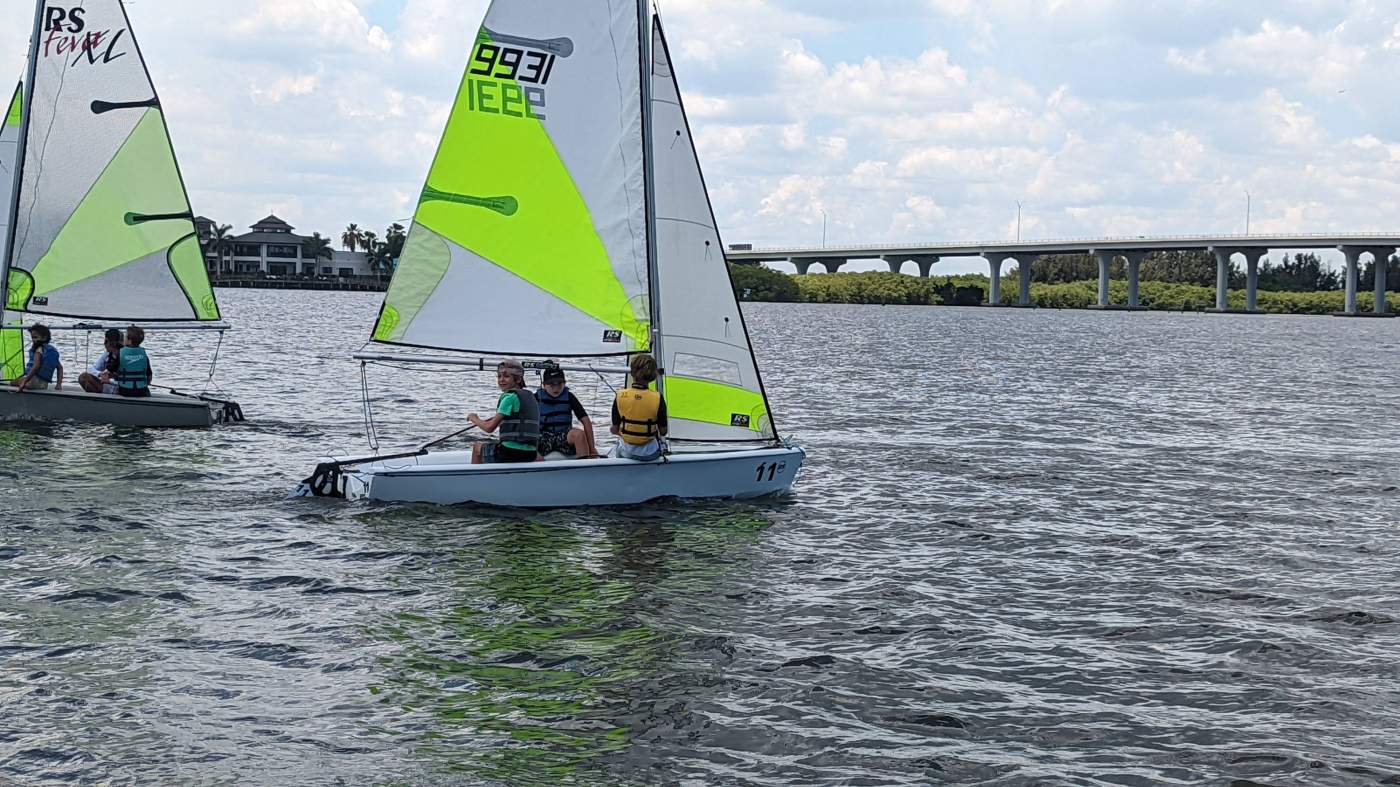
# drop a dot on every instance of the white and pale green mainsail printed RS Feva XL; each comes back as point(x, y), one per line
point(104, 228)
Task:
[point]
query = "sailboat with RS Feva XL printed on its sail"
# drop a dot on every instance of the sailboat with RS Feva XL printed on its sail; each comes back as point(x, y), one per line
point(97, 222)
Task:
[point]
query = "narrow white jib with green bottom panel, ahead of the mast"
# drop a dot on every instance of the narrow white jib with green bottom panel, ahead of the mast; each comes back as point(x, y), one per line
point(713, 386)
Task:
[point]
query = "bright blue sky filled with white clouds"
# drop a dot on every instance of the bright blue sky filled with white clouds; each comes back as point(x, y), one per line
point(887, 121)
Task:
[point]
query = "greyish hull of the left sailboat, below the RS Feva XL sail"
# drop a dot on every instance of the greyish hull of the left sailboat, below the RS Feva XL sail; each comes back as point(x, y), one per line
point(171, 412)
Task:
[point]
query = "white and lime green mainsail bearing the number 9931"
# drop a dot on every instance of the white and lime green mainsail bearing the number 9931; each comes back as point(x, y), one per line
point(530, 237)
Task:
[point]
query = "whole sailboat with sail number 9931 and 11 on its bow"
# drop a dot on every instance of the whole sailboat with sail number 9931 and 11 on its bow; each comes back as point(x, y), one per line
point(566, 216)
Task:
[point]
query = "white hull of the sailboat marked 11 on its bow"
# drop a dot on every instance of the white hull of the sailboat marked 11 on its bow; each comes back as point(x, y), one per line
point(450, 480)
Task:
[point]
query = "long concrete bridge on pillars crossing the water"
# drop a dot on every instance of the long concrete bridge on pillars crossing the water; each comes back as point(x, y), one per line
point(1252, 249)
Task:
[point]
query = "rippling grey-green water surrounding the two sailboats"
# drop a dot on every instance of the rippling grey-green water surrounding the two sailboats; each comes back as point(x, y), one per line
point(1062, 548)
